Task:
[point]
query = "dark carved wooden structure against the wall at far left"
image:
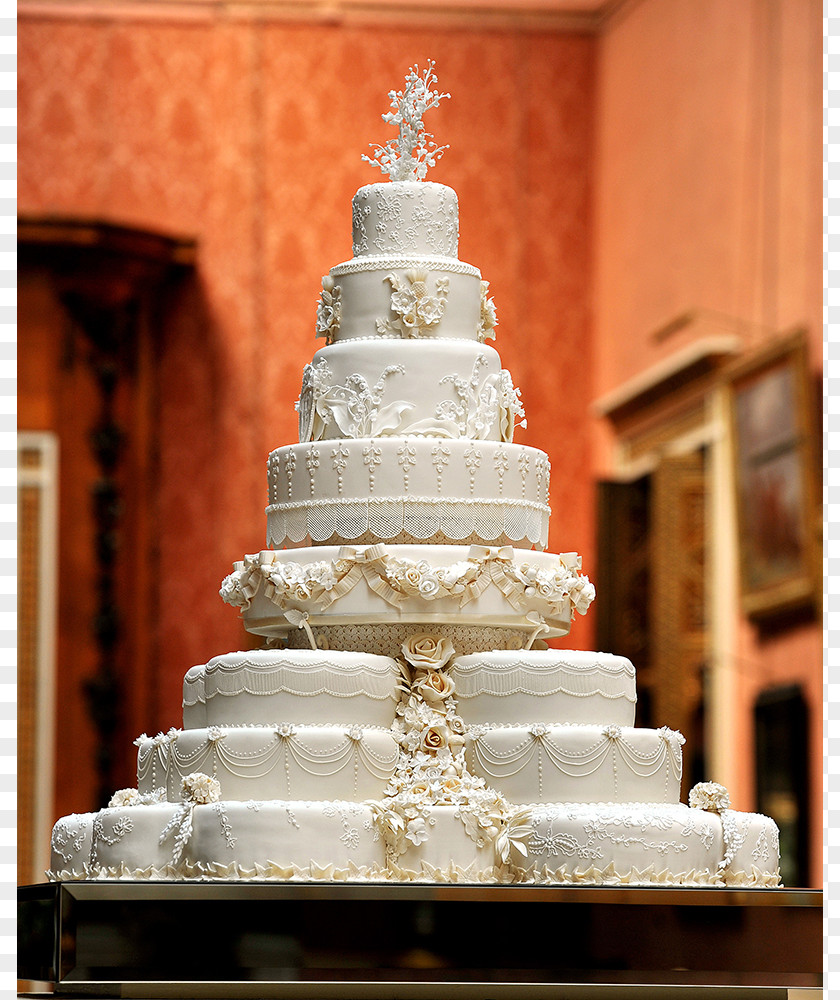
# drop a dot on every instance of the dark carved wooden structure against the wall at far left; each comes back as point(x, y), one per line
point(93, 308)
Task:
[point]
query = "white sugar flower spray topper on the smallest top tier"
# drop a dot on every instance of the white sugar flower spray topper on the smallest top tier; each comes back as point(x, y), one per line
point(409, 156)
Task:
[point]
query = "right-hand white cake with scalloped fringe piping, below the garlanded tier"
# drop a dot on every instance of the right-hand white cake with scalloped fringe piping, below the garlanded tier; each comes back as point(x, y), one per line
point(551, 685)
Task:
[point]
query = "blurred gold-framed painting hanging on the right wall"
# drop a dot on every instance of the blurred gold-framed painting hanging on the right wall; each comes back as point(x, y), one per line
point(773, 432)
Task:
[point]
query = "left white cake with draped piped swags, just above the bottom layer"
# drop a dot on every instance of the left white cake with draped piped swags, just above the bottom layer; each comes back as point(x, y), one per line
point(271, 762)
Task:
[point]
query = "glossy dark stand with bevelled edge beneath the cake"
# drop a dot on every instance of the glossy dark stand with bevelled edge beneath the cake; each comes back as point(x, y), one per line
point(429, 942)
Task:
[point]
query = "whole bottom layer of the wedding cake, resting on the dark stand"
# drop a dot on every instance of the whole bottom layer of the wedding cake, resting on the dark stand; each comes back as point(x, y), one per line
point(594, 844)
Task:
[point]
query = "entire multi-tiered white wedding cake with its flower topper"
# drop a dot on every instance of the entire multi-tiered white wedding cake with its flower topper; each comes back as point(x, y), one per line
point(406, 721)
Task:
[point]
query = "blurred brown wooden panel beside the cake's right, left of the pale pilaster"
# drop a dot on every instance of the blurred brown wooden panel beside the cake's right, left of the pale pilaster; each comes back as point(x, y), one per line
point(652, 594)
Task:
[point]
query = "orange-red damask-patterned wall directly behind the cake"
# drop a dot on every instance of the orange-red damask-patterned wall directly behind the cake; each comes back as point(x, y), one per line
point(247, 135)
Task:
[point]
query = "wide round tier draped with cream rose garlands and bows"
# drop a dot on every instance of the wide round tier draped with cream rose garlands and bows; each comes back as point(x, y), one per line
point(535, 593)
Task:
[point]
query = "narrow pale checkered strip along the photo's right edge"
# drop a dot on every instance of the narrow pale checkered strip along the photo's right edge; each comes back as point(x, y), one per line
point(831, 489)
